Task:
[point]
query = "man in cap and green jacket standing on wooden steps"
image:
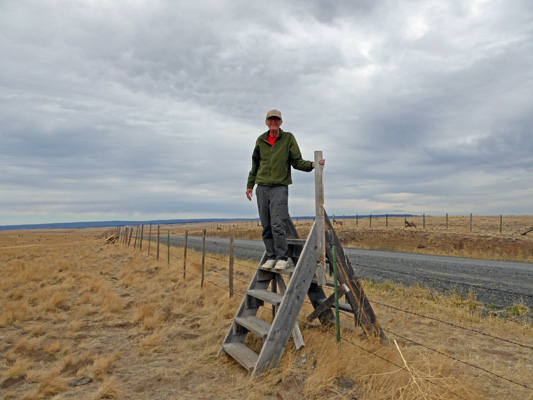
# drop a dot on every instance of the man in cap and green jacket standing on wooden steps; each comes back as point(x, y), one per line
point(274, 153)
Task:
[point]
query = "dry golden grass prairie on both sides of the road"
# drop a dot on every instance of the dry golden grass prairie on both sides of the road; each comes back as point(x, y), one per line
point(84, 319)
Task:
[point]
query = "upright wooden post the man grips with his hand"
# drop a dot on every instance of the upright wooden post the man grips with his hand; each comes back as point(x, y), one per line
point(319, 219)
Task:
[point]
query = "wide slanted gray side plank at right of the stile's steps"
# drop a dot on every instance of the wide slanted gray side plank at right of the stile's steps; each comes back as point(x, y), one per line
point(283, 324)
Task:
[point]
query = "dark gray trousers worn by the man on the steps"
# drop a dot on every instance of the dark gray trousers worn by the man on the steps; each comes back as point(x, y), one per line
point(273, 204)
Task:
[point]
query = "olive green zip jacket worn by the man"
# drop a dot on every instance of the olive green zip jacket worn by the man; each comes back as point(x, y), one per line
point(271, 165)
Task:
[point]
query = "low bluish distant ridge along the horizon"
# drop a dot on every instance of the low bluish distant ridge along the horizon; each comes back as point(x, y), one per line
point(107, 224)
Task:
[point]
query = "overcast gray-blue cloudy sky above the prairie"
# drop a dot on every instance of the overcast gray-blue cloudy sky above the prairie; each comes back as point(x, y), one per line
point(150, 109)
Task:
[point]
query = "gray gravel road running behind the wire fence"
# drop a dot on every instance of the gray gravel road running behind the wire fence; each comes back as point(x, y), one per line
point(498, 282)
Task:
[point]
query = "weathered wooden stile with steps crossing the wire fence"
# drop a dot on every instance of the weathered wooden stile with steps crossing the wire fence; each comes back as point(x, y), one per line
point(304, 279)
